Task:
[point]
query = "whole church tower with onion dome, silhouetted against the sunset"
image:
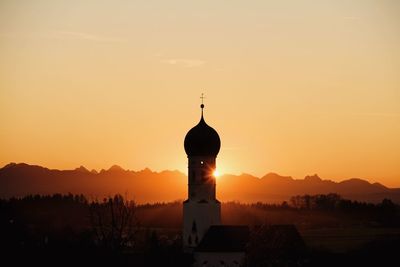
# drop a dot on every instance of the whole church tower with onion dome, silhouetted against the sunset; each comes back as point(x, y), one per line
point(201, 209)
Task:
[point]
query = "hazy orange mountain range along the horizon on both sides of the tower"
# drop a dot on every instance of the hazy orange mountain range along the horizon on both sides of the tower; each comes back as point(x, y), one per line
point(148, 186)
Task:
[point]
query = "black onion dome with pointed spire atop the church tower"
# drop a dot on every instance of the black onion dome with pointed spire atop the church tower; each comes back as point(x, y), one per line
point(202, 140)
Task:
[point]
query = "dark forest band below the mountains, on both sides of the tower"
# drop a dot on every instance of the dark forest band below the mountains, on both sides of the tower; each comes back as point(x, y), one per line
point(73, 211)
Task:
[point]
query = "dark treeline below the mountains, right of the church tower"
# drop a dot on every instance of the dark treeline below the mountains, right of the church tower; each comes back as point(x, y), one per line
point(312, 211)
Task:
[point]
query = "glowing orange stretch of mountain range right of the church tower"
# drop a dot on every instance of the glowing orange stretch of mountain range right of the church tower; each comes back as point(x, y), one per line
point(275, 188)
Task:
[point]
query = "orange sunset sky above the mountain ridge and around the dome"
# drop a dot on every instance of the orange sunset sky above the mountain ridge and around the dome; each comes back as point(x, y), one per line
point(293, 87)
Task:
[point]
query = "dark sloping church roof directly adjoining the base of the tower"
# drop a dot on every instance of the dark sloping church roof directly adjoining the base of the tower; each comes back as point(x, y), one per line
point(224, 238)
